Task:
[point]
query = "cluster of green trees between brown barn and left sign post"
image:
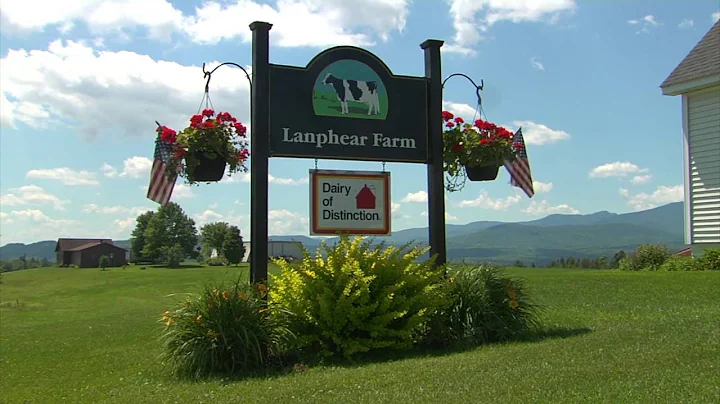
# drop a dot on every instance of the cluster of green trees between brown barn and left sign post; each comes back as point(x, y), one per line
point(169, 236)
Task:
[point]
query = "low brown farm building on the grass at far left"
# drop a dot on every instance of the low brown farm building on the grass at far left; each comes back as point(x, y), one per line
point(86, 253)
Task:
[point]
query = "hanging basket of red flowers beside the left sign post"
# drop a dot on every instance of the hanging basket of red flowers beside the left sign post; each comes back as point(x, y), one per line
point(209, 145)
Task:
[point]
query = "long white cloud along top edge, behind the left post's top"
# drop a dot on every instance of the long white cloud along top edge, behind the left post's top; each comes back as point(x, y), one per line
point(317, 23)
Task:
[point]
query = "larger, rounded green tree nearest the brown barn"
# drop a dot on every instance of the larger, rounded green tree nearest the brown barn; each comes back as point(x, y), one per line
point(170, 228)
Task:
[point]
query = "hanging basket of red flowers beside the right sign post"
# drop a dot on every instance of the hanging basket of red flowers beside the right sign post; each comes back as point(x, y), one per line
point(474, 152)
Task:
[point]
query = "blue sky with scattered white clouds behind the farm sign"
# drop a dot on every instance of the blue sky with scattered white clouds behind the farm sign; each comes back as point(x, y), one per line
point(81, 86)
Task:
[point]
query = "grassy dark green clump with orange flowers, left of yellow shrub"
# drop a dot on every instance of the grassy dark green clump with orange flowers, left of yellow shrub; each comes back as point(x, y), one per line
point(223, 330)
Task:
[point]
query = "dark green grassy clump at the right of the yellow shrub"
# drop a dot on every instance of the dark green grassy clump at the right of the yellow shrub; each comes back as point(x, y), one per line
point(483, 306)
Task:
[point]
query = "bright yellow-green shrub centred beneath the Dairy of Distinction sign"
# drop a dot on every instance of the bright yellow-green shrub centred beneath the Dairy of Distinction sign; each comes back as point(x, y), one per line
point(353, 298)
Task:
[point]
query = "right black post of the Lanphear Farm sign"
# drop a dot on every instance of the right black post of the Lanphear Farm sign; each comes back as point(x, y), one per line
point(435, 172)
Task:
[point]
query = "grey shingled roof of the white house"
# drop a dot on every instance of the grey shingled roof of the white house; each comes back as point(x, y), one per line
point(702, 61)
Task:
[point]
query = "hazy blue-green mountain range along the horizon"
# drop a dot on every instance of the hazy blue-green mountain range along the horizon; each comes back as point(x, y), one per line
point(539, 241)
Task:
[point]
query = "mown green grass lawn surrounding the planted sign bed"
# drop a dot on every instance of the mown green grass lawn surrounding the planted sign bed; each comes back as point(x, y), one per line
point(83, 335)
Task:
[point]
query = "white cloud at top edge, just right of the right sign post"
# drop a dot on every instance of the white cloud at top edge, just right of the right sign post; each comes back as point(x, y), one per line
point(473, 18)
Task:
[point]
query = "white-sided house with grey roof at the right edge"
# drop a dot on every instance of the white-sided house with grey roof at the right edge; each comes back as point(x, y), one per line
point(697, 80)
